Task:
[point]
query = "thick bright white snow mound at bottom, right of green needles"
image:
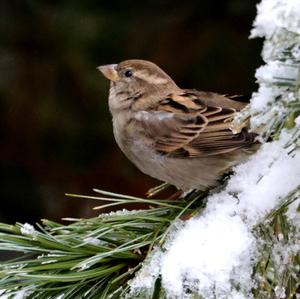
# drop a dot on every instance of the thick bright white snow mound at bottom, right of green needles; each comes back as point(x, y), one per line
point(208, 254)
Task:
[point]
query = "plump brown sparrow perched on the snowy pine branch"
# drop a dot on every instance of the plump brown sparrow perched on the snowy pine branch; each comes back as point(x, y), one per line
point(179, 136)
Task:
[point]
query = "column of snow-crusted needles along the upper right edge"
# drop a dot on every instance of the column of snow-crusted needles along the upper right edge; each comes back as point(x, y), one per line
point(279, 22)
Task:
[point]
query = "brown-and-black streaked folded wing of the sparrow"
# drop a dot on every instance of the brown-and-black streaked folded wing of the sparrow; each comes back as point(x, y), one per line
point(188, 125)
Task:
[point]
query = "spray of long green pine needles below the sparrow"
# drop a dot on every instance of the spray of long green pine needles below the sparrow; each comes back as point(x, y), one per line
point(89, 258)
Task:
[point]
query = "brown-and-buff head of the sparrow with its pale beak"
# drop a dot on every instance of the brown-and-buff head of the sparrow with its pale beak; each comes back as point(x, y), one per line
point(136, 84)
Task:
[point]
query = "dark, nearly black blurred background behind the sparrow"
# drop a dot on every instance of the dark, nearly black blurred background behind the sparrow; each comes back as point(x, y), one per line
point(56, 132)
